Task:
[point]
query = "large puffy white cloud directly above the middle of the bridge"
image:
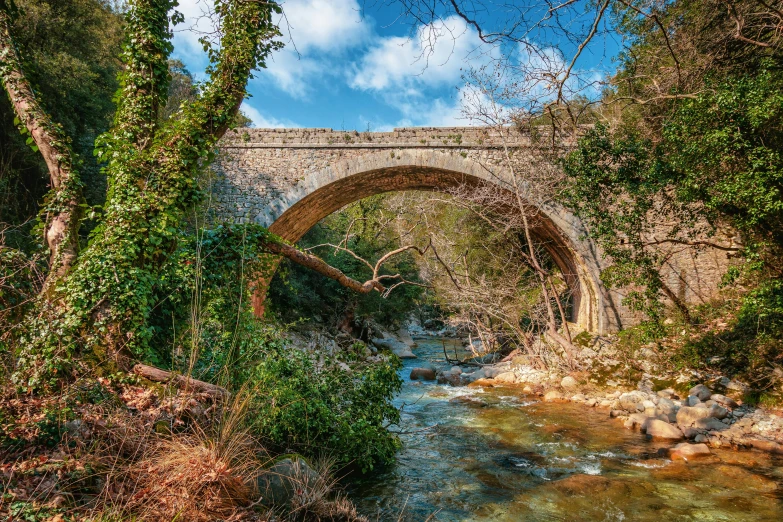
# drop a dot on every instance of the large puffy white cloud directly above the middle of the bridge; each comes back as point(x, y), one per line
point(434, 57)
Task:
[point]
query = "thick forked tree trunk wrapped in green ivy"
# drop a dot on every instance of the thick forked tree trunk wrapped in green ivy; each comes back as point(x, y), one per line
point(99, 309)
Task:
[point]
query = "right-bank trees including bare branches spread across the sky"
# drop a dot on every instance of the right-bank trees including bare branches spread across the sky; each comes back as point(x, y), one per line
point(687, 133)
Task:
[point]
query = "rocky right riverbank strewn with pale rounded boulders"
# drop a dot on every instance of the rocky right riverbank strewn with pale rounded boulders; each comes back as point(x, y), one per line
point(691, 406)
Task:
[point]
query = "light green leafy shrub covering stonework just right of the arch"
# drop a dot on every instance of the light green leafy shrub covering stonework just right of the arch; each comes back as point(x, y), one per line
point(614, 183)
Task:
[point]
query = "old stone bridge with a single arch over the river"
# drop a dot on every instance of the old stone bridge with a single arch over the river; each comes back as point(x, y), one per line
point(290, 179)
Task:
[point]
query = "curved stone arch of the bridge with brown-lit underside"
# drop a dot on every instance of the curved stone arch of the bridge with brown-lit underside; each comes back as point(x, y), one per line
point(325, 191)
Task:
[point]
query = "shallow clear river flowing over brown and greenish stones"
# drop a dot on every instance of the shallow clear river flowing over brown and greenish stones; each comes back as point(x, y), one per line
point(495, 454)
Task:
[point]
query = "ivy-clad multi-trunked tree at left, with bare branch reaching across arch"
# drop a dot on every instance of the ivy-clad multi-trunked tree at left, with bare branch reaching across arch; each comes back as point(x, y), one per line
point(95, 303)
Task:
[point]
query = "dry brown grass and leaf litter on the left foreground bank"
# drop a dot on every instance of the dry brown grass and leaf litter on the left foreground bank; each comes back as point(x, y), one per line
point(117, 464)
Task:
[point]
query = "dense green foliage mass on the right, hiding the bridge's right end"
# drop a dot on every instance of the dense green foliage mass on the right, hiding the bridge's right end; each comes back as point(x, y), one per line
point(702, 150)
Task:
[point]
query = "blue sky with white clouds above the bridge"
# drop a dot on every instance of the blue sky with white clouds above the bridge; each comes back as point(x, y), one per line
point(348, 68)
